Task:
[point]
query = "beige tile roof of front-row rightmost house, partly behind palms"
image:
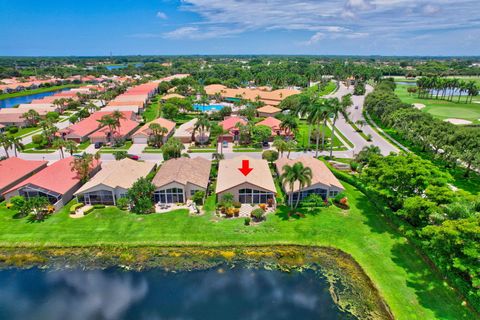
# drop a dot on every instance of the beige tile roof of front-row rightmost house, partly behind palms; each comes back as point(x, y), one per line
point(320, 172)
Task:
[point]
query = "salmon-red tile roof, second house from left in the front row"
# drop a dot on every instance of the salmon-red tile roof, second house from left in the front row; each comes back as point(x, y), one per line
point(57, 177)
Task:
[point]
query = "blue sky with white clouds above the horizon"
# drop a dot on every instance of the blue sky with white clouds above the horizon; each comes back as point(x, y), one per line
point(171, 27)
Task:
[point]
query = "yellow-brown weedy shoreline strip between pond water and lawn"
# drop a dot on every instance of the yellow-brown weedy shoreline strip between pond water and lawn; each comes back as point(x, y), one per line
point(350, 287)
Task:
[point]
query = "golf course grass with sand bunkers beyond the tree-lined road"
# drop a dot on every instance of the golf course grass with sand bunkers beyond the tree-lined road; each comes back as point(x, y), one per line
point(442, 109)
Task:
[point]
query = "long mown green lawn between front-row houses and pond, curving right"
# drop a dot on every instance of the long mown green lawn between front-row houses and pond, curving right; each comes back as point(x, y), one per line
point(406, 282)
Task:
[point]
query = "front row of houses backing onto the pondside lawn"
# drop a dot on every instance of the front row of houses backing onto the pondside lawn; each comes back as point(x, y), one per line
point(176, 181)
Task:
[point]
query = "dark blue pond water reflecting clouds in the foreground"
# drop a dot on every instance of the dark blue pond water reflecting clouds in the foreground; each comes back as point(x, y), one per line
point(208, 294)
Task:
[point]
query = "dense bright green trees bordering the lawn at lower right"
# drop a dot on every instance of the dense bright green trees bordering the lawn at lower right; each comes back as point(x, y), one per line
point(444, 222)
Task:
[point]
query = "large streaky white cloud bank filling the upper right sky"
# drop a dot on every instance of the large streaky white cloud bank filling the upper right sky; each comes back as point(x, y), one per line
point(347, 19)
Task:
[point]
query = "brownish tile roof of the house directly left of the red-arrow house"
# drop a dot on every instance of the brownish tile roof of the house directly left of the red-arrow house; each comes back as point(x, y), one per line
point(183, 171)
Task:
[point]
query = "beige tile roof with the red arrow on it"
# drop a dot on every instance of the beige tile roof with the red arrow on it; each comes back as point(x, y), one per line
point(229, 176)
